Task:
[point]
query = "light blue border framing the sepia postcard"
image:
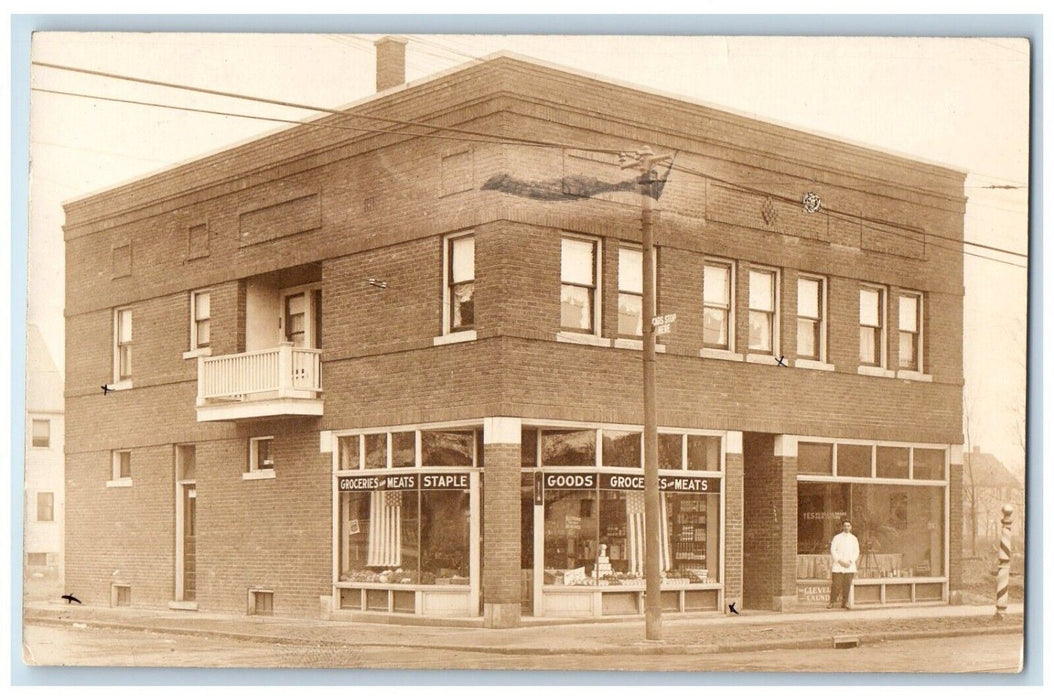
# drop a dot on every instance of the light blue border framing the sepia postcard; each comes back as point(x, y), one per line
point(1029, 27)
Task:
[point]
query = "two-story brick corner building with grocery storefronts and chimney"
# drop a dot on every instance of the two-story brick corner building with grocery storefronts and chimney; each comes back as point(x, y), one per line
point(391, 362)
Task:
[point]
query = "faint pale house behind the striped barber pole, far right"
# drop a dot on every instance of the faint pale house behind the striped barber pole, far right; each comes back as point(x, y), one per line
point(991, 485)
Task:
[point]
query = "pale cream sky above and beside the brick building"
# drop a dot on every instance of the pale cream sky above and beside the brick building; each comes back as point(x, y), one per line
point(961, 103)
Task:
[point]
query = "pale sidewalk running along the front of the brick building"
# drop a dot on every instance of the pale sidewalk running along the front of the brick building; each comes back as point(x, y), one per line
point(697, 634)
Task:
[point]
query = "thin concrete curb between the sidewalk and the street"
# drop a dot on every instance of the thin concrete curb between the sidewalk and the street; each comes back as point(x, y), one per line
point(637, 649)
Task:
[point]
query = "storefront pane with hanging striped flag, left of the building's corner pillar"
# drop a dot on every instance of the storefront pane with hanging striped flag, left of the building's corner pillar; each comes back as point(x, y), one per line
point(379, 537)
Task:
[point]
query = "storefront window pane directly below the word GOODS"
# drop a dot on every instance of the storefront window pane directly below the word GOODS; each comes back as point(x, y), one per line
point(571, 536)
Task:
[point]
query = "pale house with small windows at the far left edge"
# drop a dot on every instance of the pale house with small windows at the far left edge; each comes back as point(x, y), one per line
point(45, 468)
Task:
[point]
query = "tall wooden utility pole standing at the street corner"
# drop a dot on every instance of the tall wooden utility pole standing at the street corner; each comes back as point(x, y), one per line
point(646, 161)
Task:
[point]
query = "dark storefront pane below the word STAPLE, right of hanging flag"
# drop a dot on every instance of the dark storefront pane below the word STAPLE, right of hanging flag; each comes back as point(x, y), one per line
point(445, 537)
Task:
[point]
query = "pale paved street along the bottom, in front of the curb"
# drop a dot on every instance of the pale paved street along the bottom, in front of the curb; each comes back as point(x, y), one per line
point(61, 646)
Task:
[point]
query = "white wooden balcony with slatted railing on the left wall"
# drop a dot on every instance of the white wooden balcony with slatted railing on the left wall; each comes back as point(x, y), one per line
point(282, 381)
